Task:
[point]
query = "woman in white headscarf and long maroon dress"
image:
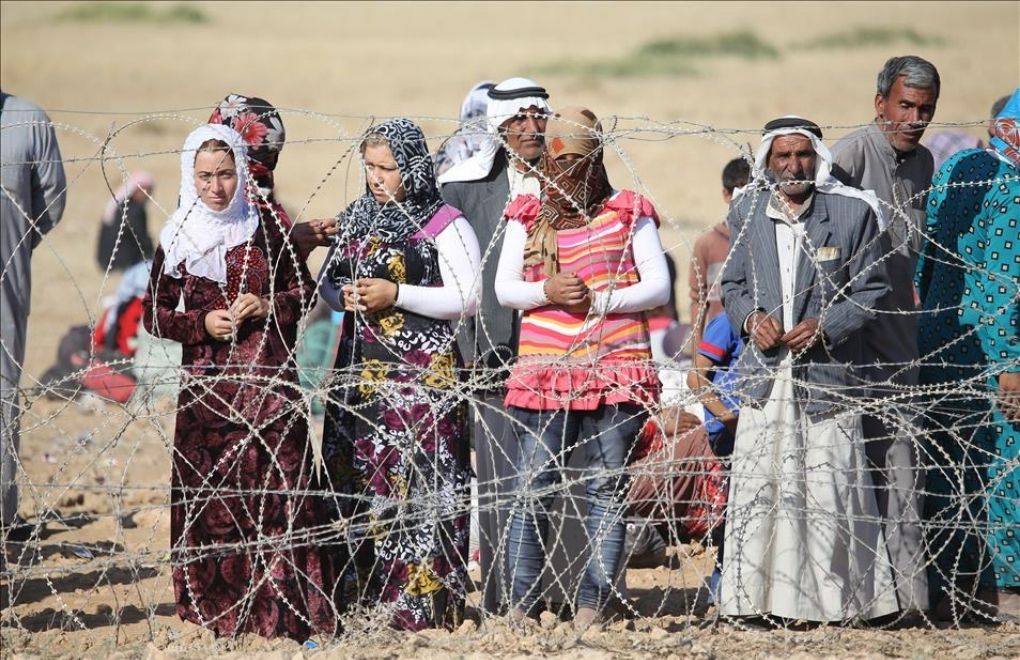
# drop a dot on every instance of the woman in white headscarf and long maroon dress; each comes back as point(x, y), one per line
point(243, 551)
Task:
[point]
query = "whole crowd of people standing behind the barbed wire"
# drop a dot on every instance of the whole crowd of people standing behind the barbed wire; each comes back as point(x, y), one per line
point(506, 327)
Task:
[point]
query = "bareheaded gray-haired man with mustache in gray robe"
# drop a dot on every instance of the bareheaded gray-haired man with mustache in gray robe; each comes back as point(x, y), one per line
point(887, 157)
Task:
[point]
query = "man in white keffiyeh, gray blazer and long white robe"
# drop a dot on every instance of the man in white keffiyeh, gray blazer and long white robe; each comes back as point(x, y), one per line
point(803, 539)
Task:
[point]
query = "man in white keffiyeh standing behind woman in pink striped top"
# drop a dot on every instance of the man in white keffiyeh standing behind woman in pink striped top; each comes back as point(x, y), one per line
point(502, 169)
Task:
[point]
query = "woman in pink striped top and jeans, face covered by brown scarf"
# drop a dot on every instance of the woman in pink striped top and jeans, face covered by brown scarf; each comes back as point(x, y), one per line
point(583, 264)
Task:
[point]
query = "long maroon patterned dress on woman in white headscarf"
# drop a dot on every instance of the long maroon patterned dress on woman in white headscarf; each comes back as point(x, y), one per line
point(243, 531)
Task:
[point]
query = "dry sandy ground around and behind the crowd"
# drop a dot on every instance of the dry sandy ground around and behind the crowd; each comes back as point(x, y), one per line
point(124, 96)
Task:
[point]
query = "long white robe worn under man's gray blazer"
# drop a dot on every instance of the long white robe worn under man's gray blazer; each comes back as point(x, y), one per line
point(803, 536)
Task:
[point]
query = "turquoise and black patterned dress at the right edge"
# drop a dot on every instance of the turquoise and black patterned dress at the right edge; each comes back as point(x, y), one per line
point(968, 280)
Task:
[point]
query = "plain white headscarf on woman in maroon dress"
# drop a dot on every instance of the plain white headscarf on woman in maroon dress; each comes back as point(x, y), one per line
point(197, 235)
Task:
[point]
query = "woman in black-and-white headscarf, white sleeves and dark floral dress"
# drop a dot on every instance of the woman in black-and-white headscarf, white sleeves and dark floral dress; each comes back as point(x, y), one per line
point(405, 271)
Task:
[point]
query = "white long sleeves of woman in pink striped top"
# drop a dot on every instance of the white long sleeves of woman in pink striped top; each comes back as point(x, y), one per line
point(652, 291)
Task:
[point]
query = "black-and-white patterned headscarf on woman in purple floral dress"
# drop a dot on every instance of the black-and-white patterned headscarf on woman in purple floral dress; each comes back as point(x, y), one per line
point(394, 221)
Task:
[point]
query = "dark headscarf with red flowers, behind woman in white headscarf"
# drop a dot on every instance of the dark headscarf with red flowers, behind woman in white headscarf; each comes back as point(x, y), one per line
point(262, 127)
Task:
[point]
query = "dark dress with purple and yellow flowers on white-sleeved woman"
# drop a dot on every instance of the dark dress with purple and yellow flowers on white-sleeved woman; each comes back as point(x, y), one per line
point(396, 445)
